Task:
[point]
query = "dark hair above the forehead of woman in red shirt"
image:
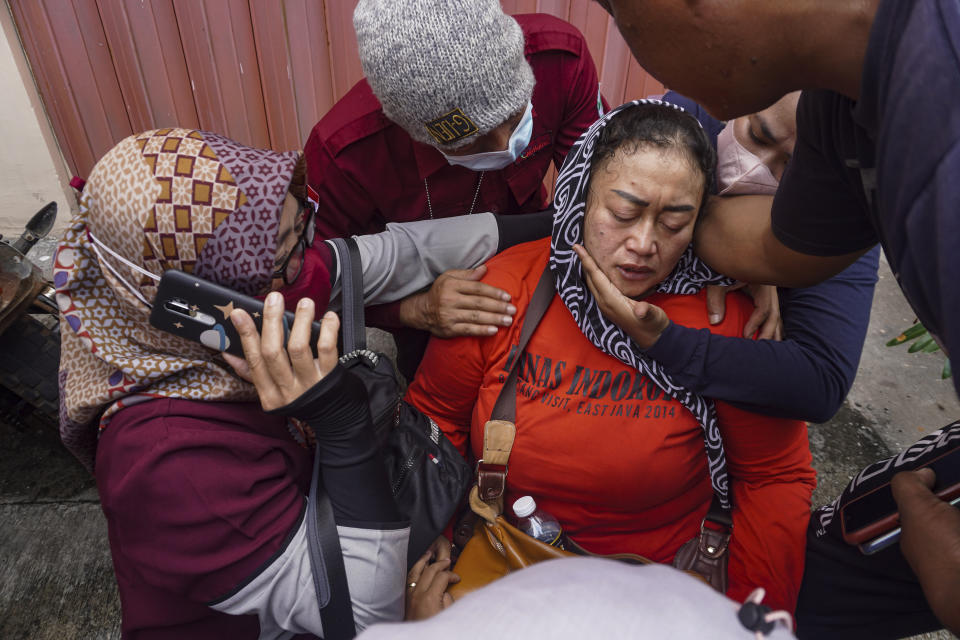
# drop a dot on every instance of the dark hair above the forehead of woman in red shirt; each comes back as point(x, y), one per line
point(661, 126)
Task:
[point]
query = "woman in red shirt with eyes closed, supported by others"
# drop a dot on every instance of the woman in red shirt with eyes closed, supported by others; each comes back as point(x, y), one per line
point(627, 460)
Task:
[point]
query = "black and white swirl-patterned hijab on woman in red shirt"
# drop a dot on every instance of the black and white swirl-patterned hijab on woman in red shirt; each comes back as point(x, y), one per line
point(688, 277)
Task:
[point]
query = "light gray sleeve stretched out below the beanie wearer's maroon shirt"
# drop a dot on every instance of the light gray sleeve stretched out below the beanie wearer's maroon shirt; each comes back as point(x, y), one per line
point(409, 256)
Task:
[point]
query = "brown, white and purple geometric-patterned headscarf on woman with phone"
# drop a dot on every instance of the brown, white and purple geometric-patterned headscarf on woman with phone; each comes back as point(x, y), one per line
point(164, 199)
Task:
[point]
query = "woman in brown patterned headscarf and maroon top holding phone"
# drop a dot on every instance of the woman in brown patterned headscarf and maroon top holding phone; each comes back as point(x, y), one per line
point(203, 491)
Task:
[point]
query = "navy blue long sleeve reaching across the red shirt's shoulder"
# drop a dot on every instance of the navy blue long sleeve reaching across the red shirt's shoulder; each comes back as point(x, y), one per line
point(804, 377)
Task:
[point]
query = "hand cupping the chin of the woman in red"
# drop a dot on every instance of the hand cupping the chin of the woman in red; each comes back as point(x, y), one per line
point(642, 321)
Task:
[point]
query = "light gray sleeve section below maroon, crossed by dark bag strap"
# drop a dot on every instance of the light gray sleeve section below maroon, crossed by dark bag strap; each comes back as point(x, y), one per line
point(283, 597)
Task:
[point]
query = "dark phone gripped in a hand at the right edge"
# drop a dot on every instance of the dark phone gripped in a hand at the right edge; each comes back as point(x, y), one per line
point(874, 514)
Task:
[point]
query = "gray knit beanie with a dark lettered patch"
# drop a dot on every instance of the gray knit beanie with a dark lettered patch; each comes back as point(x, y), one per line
point(444, 70)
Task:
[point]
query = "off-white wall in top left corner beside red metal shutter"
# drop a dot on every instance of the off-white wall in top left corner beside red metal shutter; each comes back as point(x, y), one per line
point(32, 170)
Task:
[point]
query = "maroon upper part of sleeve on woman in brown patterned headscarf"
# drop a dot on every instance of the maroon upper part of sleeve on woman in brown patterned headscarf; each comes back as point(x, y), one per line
point(197, 504)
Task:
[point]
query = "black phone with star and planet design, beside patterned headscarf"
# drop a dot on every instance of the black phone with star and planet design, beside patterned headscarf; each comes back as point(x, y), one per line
point(199, 310)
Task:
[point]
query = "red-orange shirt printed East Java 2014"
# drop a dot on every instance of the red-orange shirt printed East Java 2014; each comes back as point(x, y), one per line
point(601, 447)
